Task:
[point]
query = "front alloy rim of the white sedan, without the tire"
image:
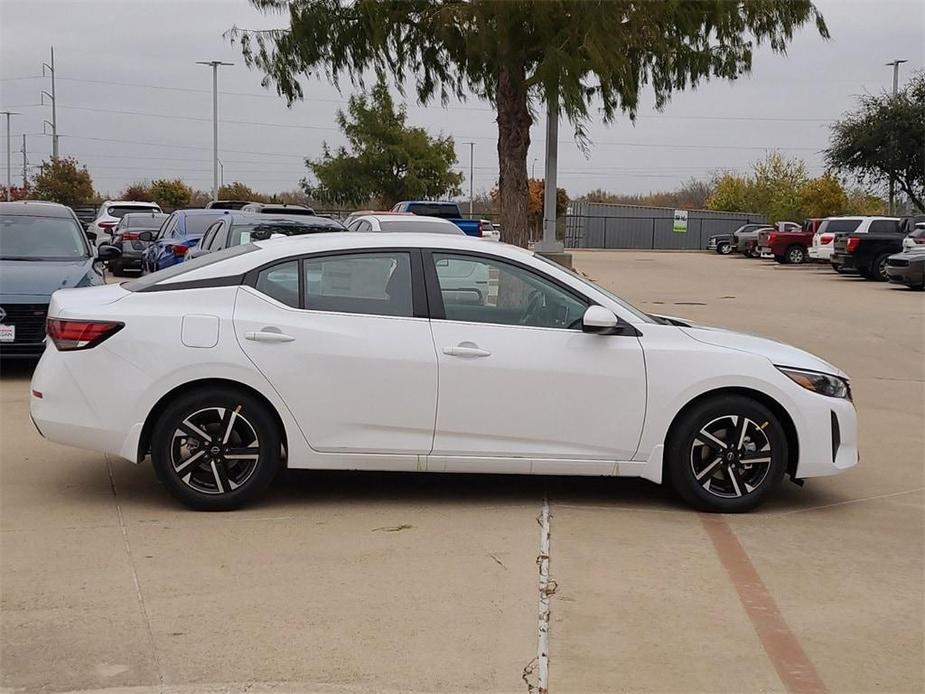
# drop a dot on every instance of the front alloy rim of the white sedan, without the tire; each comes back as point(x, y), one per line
point(730, 456)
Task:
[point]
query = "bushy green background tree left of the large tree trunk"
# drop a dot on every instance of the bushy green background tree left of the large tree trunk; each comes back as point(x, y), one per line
point(387, 159)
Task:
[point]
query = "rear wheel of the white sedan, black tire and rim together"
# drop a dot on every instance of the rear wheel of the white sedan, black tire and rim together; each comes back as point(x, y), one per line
point(227, 476)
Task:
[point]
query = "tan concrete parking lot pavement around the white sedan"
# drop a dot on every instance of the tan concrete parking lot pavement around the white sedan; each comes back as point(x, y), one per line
point(348, 582)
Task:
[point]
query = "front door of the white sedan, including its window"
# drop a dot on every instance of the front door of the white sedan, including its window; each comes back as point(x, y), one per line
point(518, 377)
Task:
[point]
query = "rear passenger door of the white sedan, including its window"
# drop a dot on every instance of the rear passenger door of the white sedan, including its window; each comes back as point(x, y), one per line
point(350, 358)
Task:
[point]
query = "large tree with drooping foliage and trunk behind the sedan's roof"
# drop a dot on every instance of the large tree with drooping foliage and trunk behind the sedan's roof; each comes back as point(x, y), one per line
point(584, 57)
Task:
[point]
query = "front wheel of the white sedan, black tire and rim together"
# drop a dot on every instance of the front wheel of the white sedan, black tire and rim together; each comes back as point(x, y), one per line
point(734, 485)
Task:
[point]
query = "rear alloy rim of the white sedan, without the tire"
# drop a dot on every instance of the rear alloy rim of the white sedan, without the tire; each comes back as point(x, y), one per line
point(215, 450)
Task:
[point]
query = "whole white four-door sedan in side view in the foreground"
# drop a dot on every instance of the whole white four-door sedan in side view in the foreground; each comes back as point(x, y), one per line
point(357, 351)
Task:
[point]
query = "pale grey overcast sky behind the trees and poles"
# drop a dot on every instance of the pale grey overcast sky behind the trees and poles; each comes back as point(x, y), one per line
point(133, 105)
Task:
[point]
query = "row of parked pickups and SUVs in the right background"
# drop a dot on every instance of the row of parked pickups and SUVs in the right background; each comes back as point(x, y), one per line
point(875, 247)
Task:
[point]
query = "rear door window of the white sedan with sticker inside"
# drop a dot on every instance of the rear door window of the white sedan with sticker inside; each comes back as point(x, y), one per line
point(372, 283)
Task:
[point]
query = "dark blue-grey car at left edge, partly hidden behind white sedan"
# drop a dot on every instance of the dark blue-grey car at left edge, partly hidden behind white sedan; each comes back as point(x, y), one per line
point(43, 248)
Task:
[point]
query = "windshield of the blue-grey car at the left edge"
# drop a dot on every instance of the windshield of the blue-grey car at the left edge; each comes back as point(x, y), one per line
point(41, 238)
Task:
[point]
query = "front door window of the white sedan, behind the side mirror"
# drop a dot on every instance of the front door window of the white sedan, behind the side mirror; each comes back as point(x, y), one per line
point(485, 290)
